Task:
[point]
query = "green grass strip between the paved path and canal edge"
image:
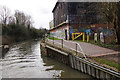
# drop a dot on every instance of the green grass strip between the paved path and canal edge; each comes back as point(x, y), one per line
point(107, 62)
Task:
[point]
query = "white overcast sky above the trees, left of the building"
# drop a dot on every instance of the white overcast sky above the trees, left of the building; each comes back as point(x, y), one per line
point(40, 10)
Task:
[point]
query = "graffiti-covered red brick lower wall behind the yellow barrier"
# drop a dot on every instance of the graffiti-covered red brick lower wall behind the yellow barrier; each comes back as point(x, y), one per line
point(94, 28)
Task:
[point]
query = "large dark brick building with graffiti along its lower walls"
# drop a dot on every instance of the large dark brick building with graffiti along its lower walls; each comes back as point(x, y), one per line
point(75, 17)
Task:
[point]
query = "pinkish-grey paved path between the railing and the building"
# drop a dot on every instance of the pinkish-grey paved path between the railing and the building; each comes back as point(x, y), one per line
point(89, 49)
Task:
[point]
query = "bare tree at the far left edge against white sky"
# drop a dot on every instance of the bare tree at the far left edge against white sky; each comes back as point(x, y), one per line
point(4, 15)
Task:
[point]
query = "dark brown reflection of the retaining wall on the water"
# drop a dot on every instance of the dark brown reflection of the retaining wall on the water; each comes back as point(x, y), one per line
point(66, 71)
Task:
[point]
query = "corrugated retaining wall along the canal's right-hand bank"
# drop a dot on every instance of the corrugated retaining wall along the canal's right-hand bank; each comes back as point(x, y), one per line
point(78, 63)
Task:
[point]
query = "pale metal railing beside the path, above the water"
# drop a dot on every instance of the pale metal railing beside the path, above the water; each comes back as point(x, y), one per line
point(61, 42)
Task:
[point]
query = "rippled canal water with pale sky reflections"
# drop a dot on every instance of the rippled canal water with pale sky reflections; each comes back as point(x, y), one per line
point(24, 60)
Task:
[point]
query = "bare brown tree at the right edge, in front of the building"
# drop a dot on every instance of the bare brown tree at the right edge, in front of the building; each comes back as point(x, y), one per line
point(110, 12)
